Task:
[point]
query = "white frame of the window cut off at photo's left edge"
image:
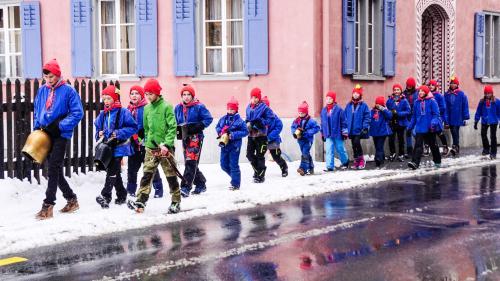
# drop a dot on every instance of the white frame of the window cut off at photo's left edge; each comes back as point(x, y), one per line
point(6, 30)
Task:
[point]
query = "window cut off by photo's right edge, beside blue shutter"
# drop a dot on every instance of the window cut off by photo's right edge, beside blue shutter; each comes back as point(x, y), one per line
point(492, 44)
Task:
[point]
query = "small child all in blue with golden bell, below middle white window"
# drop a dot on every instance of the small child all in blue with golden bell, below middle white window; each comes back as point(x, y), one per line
point(236, 129)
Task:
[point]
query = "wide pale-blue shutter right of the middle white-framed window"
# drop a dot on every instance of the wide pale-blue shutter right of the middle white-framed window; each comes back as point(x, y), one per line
point(256, 43)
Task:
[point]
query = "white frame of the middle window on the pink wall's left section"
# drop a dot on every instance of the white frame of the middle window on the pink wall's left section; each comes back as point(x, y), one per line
point(224, 47)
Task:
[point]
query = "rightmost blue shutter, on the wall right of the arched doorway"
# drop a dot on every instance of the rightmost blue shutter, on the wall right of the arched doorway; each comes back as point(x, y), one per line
point(479, 45)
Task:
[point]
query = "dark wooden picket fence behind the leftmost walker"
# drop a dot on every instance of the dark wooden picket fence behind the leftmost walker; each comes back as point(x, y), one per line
point(16, 121)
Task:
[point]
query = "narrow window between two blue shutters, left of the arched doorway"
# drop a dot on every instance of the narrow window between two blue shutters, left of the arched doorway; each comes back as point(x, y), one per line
point(368, 33)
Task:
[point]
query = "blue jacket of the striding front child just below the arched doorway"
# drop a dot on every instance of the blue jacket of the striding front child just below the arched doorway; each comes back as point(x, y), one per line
point(425, 116)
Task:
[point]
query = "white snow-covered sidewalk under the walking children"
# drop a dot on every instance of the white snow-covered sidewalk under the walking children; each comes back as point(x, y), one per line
point(20, 201)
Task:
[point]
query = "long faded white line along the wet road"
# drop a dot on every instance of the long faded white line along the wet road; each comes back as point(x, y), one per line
point(164, 266)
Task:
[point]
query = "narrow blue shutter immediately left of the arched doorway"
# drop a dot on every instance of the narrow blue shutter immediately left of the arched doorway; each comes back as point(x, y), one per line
point(389, 37)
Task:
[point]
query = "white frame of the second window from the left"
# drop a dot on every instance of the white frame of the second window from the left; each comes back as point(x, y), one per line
point(117, 50)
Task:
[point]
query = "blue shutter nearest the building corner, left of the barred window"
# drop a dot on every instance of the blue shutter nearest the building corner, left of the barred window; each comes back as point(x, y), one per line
point(348, 36)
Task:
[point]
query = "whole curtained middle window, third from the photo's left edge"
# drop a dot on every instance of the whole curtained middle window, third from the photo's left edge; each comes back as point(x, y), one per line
point(222, 36)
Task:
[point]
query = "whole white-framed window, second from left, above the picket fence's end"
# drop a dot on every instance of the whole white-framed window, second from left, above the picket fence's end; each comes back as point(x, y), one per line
point(116, 37)
